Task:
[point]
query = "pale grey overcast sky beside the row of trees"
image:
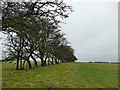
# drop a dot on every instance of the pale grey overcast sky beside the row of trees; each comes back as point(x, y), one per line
point(92, 29)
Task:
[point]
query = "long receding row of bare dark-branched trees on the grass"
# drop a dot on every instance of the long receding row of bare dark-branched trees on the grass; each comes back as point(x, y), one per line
point(33, 32)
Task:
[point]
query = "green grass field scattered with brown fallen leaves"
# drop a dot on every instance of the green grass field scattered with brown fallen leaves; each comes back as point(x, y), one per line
point(63, 75)
